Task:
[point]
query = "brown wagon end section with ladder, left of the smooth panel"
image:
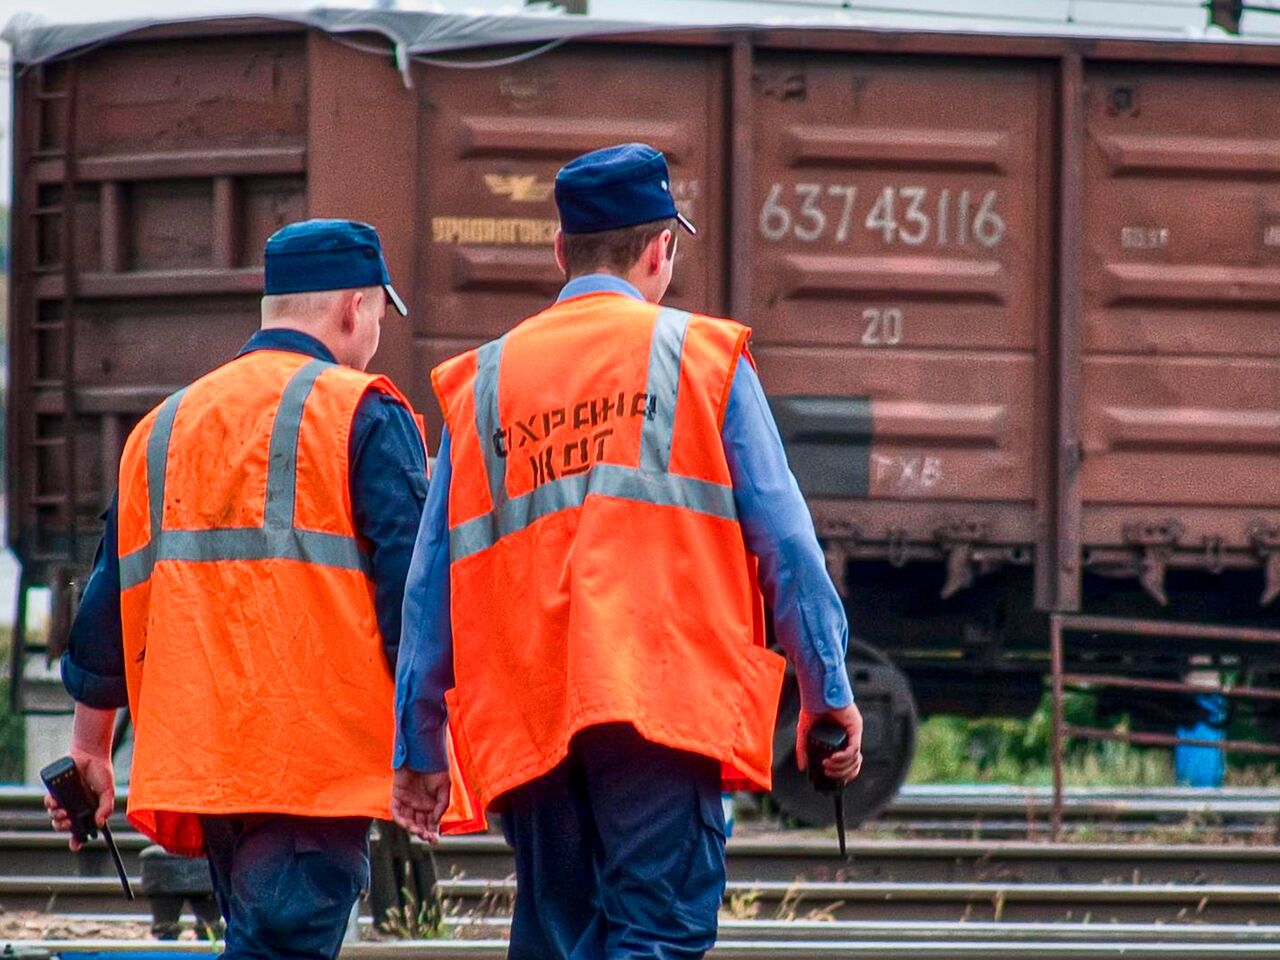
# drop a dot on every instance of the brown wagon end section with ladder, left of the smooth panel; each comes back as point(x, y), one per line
point(180, 159)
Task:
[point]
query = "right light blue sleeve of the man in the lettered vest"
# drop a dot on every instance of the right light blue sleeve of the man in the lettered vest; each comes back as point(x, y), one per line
point(808, 618)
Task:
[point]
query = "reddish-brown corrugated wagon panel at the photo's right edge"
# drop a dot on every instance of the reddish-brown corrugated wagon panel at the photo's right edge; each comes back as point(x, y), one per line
point(1182, 372)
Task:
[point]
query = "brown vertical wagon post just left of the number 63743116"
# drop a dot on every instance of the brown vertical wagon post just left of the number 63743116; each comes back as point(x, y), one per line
point(742, 181)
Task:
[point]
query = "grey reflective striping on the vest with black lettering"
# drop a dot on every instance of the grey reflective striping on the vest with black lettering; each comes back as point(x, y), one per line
point(650, 483)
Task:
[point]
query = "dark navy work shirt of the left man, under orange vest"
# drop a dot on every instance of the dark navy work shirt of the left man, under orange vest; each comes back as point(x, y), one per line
point(388, 488)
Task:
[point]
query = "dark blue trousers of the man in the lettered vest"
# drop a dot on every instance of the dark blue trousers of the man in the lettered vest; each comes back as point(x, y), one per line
point(620, 853)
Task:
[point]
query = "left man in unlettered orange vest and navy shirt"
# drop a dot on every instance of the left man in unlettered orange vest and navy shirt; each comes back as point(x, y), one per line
point(246, 604)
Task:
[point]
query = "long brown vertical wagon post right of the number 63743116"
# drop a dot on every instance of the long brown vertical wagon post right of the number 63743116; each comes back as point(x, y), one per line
point(1069, 335)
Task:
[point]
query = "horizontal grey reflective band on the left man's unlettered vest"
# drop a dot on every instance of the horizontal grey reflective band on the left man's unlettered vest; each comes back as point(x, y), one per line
point(246, 545)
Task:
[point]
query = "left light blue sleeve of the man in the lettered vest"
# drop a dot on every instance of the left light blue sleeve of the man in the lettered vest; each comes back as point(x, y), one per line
point(426, 666)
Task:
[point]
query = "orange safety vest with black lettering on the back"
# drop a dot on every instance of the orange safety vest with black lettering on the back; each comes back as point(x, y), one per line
point(598, 572)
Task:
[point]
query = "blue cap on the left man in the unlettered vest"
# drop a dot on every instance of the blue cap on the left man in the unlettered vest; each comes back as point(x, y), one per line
point(327, 255)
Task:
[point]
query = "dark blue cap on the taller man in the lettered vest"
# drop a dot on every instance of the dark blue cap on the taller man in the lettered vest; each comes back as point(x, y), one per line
point(616, 188)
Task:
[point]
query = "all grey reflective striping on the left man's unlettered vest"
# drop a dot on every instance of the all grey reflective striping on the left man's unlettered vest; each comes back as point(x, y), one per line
point(277, 538)
